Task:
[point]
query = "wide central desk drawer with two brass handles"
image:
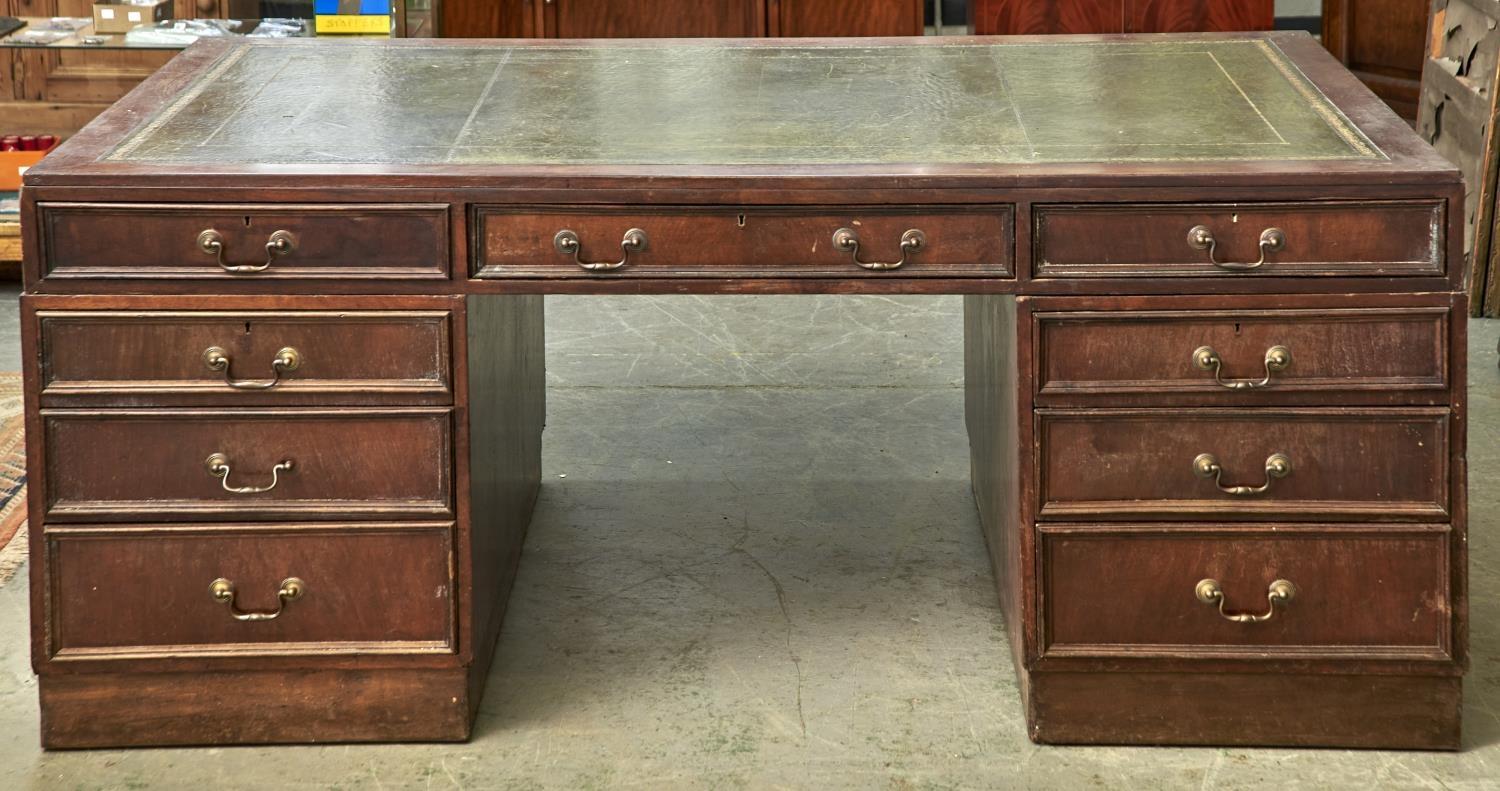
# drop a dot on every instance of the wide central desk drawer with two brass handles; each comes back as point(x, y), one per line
point(958, 242)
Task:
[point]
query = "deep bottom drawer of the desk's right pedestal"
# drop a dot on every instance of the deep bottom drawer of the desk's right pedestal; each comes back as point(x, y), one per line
point(1366, 591)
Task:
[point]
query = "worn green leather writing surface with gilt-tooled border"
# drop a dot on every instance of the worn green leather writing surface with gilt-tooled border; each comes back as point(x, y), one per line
point(710, 104)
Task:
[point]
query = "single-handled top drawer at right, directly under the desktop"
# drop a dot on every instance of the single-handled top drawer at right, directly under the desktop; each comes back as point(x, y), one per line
point(1322, 239)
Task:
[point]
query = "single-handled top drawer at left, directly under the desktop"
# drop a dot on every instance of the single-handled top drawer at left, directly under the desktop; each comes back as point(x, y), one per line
point(163, 241)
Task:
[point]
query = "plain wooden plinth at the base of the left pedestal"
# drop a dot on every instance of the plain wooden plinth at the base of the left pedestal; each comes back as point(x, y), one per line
point(313, 706)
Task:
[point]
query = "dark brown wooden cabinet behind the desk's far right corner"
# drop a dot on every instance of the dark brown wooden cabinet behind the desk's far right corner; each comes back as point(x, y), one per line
point(1382, 43)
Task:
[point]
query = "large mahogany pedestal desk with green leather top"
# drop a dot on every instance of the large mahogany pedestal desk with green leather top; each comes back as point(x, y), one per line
point(284, 364)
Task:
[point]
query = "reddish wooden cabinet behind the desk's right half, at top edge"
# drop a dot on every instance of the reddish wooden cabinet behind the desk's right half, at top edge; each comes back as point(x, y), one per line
point(1033, 17)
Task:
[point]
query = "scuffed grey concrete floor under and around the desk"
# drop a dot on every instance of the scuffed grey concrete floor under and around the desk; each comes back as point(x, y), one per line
point(757, 565)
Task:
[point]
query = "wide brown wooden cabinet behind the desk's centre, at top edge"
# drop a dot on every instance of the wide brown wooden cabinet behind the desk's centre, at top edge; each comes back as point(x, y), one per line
point(680, 19)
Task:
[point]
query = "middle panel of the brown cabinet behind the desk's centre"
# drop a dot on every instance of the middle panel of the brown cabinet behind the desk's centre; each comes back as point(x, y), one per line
point(653, 19)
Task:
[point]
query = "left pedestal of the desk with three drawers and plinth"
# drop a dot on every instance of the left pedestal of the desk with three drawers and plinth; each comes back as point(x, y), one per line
point(275, 520)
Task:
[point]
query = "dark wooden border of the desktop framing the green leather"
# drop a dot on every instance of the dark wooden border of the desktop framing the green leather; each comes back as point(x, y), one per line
point(85, 160)
